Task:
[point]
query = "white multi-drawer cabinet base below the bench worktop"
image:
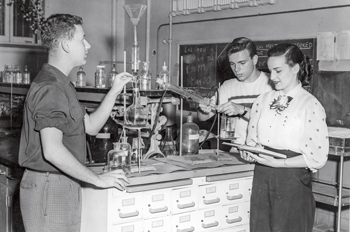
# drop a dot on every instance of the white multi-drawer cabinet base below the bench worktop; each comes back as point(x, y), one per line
point(204, 205)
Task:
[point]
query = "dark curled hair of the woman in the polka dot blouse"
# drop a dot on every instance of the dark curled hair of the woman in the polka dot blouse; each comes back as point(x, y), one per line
point(293, 55)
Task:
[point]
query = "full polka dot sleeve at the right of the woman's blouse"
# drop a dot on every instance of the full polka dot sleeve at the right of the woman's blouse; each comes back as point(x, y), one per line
point(314, 142)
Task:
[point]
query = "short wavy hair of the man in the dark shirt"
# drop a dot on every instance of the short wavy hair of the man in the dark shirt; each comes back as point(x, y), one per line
point(58, 27)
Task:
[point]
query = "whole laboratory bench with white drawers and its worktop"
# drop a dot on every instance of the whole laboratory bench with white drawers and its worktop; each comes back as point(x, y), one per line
point(176, 196)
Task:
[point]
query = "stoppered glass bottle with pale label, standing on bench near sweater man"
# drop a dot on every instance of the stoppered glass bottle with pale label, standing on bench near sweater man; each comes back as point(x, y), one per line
point(190, 137)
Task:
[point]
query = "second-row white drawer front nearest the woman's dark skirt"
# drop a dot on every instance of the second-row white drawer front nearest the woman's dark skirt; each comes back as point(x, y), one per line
point(235, 215)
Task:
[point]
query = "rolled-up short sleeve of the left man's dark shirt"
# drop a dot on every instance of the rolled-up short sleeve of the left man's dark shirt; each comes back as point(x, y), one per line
point(50, 108)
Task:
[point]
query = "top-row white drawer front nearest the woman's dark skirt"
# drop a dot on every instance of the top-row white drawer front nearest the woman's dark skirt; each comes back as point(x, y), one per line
point(236, 191)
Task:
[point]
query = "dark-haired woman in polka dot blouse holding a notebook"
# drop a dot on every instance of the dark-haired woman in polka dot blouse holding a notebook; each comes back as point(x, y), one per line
point(291, 121)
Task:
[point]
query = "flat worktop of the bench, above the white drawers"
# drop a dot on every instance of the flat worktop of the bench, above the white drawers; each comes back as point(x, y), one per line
point(171, 173)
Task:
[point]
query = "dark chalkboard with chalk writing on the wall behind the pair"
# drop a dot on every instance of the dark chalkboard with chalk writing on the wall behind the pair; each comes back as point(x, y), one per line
point(206, 65)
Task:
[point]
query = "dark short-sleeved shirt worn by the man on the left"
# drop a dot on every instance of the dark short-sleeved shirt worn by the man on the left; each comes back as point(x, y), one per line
point(51, 102)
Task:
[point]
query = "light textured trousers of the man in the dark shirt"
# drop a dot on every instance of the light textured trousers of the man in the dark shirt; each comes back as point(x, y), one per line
point(50, 202)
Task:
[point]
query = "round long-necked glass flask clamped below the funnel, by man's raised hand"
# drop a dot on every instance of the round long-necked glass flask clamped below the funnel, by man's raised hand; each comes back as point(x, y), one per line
point(136, 114)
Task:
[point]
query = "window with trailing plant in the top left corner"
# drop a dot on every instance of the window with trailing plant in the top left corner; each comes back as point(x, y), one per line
point(14, 24)
